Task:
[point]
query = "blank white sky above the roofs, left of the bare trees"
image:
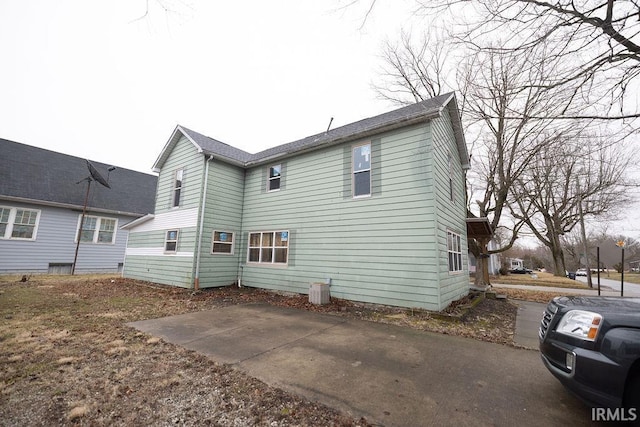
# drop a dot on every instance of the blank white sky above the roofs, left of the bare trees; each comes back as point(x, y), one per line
point(86, 78)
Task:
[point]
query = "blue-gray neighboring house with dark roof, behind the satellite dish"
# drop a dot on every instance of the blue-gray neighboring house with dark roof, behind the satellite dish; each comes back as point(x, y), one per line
point(42, 195)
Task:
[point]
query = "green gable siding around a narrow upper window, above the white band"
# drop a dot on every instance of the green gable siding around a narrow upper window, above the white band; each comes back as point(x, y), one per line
point(184, 156)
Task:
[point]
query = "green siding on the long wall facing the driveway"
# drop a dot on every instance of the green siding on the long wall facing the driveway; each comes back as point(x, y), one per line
point(378, 249)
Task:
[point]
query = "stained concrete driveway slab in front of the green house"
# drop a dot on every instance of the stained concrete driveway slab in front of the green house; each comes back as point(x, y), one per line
point(391, 375)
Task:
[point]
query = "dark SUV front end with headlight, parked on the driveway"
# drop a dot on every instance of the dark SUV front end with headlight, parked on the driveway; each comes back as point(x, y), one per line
point(592, 345)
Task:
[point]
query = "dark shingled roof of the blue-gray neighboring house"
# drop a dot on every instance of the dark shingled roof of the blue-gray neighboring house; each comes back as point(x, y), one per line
point(37, 175)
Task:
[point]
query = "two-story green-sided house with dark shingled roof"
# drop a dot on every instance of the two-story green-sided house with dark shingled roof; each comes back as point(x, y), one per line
point(376, 209)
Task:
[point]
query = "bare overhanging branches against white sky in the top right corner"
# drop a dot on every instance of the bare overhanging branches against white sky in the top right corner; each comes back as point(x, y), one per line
point(596, 41)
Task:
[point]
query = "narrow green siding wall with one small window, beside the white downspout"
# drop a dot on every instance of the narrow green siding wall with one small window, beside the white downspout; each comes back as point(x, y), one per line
point(223, 212)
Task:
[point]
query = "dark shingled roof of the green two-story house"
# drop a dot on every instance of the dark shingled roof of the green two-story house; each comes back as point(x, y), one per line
point(419, 112)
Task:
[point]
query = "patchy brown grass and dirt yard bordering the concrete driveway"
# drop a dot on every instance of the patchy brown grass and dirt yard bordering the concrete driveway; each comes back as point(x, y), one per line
point(66, 357)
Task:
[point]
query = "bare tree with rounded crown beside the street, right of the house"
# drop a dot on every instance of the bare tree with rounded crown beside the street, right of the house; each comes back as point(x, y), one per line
point(573, 174)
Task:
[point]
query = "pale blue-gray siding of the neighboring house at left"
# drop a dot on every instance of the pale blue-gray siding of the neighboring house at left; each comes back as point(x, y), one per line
point(55, 243)
